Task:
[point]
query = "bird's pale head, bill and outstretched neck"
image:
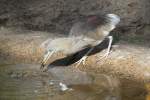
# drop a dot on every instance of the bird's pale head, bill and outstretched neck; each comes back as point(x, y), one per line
point(66, 45)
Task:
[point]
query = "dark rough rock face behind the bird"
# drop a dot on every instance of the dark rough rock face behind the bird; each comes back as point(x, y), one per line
point(58, 15)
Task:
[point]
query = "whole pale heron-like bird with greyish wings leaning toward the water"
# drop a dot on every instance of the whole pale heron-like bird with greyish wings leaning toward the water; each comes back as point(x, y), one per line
point(88, 31)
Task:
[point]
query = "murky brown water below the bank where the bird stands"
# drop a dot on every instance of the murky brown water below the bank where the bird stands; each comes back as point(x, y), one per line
point(26, 82)
